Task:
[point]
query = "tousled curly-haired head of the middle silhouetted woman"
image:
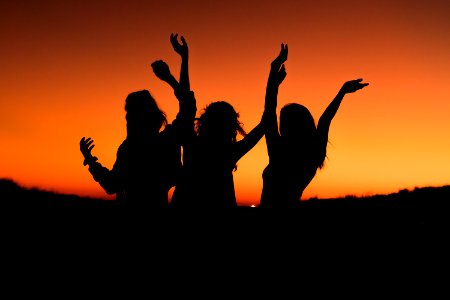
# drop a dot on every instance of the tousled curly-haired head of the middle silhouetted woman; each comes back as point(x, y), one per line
point(219, 122)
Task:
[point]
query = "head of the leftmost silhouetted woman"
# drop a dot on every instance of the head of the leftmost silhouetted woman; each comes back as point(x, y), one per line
point(143, 114)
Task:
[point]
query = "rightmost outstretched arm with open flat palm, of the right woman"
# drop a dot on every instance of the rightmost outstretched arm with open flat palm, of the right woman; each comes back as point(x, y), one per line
point(323, 125)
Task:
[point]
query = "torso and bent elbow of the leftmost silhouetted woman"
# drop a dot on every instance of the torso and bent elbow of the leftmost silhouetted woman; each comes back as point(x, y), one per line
point(144, 171)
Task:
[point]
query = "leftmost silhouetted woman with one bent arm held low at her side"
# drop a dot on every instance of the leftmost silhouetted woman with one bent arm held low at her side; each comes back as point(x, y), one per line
point(147, 161)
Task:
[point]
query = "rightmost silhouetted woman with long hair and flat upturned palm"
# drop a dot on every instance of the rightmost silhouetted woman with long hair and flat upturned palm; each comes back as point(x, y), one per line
point(298, 149)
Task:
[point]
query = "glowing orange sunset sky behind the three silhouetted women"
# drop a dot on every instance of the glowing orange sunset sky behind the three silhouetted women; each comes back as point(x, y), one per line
point(67, 66)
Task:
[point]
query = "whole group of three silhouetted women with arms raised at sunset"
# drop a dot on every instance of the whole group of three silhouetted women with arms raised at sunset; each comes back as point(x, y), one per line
point(148, 162)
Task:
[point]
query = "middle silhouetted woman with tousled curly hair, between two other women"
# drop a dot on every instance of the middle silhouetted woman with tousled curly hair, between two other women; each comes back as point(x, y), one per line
point(211, 151)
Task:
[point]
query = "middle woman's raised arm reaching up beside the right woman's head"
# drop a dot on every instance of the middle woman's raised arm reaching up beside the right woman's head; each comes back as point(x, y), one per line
point(268, 124)
